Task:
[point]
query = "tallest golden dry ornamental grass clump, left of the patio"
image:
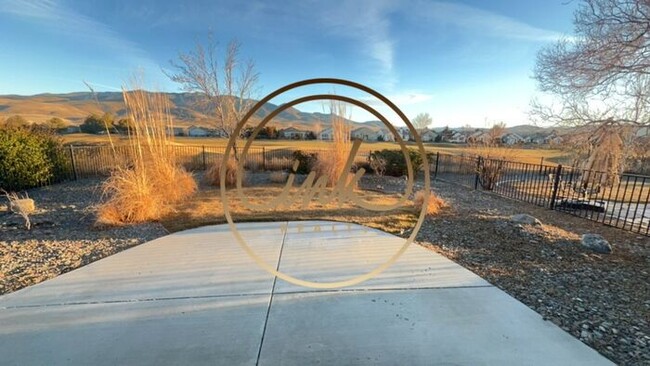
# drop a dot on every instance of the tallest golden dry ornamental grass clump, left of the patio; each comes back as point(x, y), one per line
point(147, 181)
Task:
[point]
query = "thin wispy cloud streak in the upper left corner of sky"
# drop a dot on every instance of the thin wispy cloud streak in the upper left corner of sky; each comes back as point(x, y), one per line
point(59, 18)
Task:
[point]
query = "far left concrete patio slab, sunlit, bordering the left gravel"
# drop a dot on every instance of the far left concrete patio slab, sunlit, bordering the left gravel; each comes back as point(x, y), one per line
point(199, 262)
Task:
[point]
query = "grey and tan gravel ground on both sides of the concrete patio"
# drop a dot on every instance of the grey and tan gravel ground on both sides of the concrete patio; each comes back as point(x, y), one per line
point(602, 299)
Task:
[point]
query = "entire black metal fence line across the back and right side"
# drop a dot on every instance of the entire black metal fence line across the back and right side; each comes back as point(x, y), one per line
point(624, 205)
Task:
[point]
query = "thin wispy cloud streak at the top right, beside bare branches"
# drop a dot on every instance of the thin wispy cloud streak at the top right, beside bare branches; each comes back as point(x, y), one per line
point(480, 21)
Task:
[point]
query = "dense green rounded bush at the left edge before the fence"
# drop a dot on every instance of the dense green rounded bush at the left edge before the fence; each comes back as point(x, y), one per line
point(30, 158)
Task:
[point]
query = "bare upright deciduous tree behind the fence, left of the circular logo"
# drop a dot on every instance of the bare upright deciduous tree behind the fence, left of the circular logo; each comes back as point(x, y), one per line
point(224, 90)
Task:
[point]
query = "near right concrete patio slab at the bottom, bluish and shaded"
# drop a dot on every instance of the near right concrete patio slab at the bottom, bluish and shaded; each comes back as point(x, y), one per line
point(457, 326)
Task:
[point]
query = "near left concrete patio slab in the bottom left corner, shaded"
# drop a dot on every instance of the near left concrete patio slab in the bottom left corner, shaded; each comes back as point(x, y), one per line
point(222, 331)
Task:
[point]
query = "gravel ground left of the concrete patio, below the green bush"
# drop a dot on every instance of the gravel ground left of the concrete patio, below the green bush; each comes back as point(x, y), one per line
point(62, 237)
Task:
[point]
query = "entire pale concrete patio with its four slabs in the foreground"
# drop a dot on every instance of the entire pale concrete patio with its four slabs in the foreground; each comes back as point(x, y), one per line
point(195, 297)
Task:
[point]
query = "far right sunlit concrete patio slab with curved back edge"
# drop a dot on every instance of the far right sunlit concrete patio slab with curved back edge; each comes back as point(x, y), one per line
point(324, 251)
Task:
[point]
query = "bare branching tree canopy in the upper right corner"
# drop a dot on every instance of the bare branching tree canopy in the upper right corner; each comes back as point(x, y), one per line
point(602, 75)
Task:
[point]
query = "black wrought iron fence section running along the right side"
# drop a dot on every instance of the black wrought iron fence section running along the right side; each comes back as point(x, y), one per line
point(620, 200)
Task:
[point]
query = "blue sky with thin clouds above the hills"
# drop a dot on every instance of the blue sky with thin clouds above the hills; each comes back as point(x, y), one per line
point(463, 62)
